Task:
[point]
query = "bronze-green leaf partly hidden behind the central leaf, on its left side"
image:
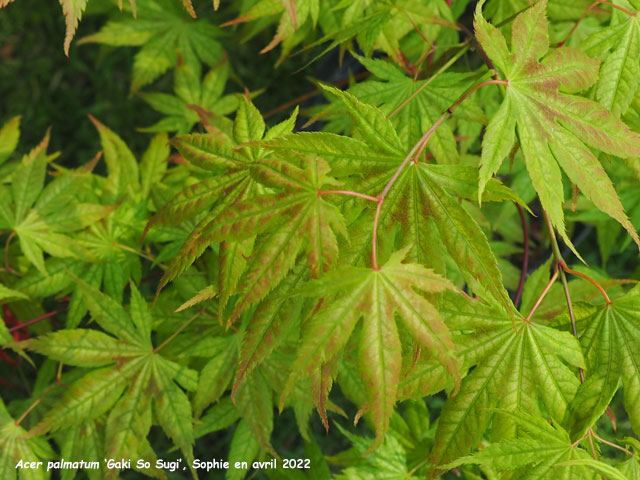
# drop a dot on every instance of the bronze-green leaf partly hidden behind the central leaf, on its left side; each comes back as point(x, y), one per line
point(229, 183)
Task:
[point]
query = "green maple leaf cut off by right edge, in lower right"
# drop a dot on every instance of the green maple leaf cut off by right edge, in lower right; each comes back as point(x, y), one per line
point(610, 338)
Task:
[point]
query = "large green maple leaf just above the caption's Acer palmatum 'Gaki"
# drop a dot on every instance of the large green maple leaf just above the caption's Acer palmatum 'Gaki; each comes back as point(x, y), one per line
point(126, 379)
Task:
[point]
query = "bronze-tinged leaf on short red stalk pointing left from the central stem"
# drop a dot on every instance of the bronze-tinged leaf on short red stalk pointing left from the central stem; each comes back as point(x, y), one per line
point(304, 221)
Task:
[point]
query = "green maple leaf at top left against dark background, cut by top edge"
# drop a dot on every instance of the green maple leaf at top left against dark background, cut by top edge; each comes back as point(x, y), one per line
point(162, 29)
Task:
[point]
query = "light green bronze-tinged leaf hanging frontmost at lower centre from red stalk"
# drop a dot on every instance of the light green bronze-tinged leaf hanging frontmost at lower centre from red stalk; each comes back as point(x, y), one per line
point(376, 296)
